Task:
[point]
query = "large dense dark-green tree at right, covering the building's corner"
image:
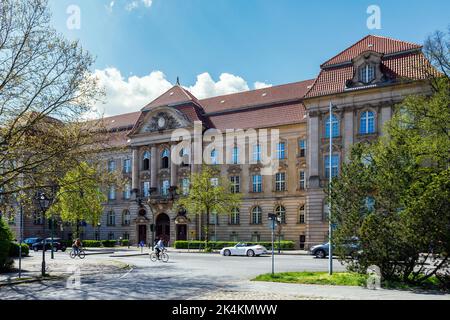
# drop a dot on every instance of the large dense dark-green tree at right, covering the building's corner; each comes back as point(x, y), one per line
point(393, 194)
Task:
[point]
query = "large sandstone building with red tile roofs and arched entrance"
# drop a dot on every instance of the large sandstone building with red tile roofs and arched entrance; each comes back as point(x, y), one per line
point(363, 83)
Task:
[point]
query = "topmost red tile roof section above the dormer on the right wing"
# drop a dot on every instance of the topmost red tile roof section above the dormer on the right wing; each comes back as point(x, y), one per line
point(373, 43)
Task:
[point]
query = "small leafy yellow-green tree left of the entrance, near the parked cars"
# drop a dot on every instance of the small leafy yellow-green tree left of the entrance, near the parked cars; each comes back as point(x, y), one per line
point(79, 197)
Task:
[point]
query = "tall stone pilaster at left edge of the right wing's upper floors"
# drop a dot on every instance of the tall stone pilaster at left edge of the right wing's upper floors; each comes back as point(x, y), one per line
point(313, 154)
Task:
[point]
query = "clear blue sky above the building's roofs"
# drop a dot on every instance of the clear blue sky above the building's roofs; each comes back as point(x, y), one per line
point(268, 41)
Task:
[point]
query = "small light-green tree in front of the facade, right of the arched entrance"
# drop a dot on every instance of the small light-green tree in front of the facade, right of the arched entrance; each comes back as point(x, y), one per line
point(206, 197)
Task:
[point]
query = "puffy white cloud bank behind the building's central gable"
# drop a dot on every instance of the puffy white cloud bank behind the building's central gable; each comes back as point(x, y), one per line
point(131, 94)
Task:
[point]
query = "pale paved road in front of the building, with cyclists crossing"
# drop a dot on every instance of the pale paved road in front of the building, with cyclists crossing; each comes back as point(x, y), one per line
point(191, 276)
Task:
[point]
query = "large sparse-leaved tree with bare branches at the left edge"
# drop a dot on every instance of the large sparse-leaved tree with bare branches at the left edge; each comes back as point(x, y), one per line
point(46, 89)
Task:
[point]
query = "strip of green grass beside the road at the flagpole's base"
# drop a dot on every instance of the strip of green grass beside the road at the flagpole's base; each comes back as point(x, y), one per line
point(322, 278)
